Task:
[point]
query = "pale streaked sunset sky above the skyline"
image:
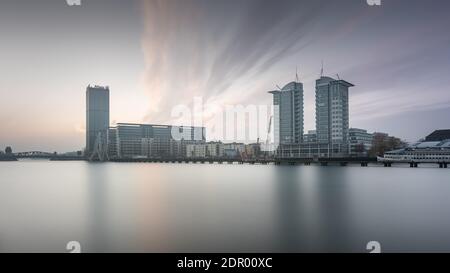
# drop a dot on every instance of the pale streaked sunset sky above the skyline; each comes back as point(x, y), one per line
point(157, 54)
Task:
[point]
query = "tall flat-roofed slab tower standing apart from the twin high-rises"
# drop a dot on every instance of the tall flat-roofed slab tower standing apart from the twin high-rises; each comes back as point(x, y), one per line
point(97, 116)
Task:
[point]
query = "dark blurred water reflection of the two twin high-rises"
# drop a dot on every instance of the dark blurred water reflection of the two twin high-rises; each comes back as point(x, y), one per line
point(313, 211)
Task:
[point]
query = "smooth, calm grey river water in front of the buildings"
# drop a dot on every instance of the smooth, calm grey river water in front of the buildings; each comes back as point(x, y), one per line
point(213, 208)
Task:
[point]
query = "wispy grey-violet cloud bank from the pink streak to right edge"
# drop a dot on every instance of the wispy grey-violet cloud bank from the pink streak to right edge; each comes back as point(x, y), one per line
point(231, 52)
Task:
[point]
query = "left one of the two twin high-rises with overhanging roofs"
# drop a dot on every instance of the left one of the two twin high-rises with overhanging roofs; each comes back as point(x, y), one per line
point(288, 113)
